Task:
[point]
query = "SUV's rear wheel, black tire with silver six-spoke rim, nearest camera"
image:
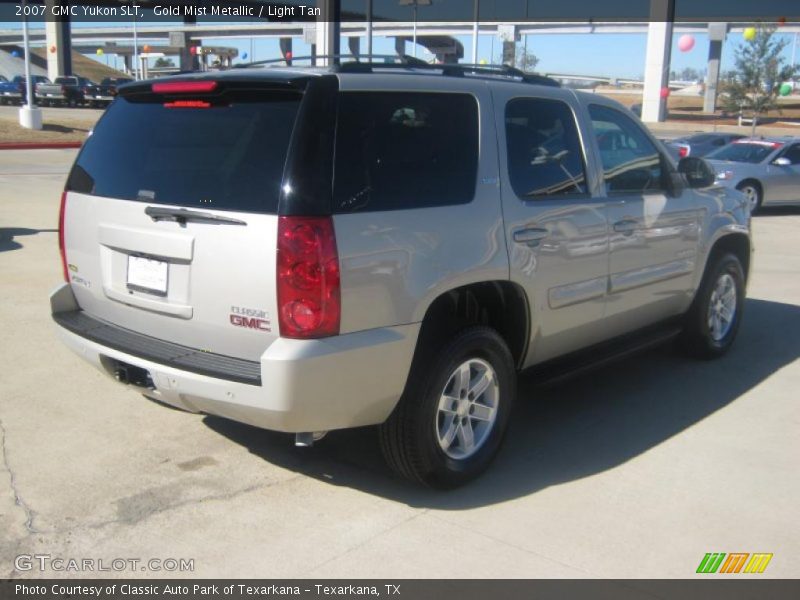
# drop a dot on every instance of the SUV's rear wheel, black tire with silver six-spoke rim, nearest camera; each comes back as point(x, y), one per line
point(450, 422)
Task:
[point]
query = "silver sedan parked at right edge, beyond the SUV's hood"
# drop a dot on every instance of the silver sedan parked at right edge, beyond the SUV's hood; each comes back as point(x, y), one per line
point(766, 170)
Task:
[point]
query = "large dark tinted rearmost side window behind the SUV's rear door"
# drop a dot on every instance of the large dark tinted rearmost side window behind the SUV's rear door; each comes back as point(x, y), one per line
point(404, 150)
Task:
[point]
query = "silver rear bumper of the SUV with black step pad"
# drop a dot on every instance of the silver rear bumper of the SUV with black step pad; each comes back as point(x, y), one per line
point(297, 385)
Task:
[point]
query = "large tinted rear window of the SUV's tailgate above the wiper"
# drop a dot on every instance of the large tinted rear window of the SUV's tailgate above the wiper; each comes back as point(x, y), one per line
point(228, 156)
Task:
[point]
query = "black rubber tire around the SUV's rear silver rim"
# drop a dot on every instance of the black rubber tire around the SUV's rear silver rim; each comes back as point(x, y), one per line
point(410, 438)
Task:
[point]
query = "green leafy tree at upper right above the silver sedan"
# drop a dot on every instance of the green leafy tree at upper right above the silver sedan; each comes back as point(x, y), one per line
point(754, 84)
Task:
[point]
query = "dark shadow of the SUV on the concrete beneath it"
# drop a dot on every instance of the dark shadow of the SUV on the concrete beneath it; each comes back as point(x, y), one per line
point(563, 432)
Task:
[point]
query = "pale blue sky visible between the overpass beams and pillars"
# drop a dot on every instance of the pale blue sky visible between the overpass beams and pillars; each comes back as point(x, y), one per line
point(614, 55)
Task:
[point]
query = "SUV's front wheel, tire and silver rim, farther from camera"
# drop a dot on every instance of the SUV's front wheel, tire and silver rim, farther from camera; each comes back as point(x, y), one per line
point(713, 320)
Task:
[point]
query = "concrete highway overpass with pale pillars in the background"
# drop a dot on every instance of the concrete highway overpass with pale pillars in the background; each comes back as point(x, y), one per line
point(438, 37)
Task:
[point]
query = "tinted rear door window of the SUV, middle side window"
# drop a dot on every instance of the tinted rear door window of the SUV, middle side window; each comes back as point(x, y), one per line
point(544, 150)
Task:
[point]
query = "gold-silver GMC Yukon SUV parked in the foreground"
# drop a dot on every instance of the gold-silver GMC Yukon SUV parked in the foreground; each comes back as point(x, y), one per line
point(315, 249)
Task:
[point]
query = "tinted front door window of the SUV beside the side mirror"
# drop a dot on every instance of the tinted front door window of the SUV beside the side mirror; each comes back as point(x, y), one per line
point(631, 163)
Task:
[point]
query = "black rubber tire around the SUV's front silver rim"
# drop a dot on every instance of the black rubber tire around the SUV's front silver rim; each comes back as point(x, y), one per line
point(697, 338)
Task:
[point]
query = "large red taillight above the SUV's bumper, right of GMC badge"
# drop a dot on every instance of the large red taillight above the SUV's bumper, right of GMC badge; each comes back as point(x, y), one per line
point(309, 303)
